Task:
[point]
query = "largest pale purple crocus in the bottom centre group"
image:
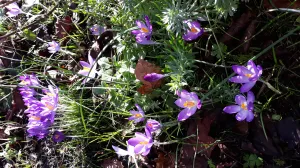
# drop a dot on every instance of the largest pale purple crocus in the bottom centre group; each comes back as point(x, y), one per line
point(142, 143)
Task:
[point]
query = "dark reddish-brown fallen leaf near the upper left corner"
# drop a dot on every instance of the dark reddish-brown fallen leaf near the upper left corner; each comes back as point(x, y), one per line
point(63, 27)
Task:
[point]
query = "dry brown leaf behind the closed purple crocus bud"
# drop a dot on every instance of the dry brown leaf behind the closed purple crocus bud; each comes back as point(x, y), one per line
point(142, 68)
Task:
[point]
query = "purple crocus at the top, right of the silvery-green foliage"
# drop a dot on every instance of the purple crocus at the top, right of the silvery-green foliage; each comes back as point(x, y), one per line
point(194, 31)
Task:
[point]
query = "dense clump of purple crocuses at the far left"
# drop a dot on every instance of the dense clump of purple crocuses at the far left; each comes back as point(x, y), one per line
point(41, 113)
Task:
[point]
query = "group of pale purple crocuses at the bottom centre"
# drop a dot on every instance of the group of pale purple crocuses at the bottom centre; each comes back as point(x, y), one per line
point(141, 143)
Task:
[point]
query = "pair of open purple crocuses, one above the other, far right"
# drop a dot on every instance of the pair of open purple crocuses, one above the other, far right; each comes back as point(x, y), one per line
point(247, 76)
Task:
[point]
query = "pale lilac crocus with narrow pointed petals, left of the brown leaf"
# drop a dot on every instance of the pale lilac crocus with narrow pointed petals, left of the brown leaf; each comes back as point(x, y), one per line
point(89, 69)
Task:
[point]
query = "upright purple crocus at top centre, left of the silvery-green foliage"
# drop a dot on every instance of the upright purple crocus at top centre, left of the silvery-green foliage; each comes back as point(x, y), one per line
point(143, 35)
